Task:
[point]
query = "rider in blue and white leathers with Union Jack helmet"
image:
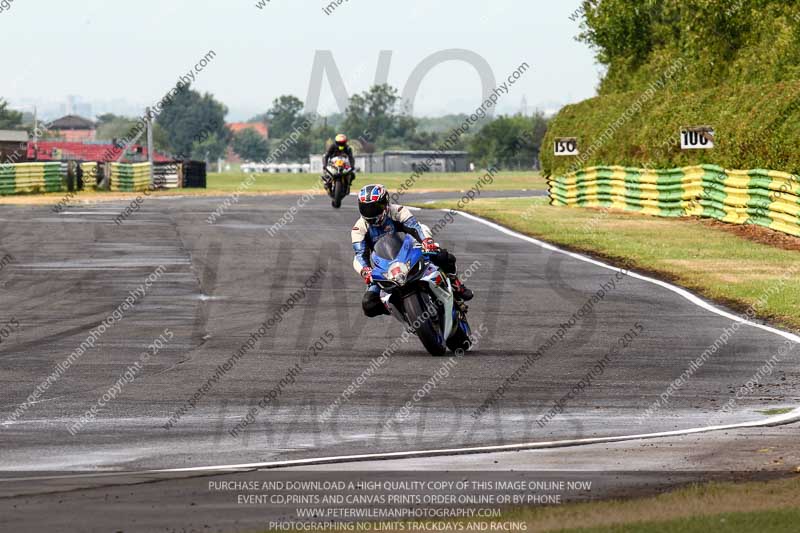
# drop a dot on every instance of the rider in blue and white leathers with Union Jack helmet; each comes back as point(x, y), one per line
point(378, 218)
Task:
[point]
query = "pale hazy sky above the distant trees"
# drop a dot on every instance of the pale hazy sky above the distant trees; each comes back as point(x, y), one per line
point(103, 50)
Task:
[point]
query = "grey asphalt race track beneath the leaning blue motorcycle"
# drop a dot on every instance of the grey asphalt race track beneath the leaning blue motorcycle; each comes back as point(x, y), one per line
point(71, 270)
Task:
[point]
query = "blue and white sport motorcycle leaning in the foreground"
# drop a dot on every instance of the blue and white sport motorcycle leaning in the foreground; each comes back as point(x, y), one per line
point(419, 294)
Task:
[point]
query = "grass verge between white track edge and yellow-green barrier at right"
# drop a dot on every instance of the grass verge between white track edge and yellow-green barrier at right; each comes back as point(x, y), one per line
point(718, 264)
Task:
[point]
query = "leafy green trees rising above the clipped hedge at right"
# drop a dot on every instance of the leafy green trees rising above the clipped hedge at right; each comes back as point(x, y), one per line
point(724, 42)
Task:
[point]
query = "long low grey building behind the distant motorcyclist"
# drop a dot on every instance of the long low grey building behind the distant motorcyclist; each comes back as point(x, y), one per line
point(406, 161)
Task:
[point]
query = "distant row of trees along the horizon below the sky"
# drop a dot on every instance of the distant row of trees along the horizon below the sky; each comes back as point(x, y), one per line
point(374, 120)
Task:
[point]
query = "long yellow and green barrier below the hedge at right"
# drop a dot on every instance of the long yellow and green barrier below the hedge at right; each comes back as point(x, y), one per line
point(764, 197)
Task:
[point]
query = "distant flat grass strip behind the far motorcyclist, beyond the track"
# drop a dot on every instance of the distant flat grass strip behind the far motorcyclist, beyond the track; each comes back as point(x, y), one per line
point(230, 181)
